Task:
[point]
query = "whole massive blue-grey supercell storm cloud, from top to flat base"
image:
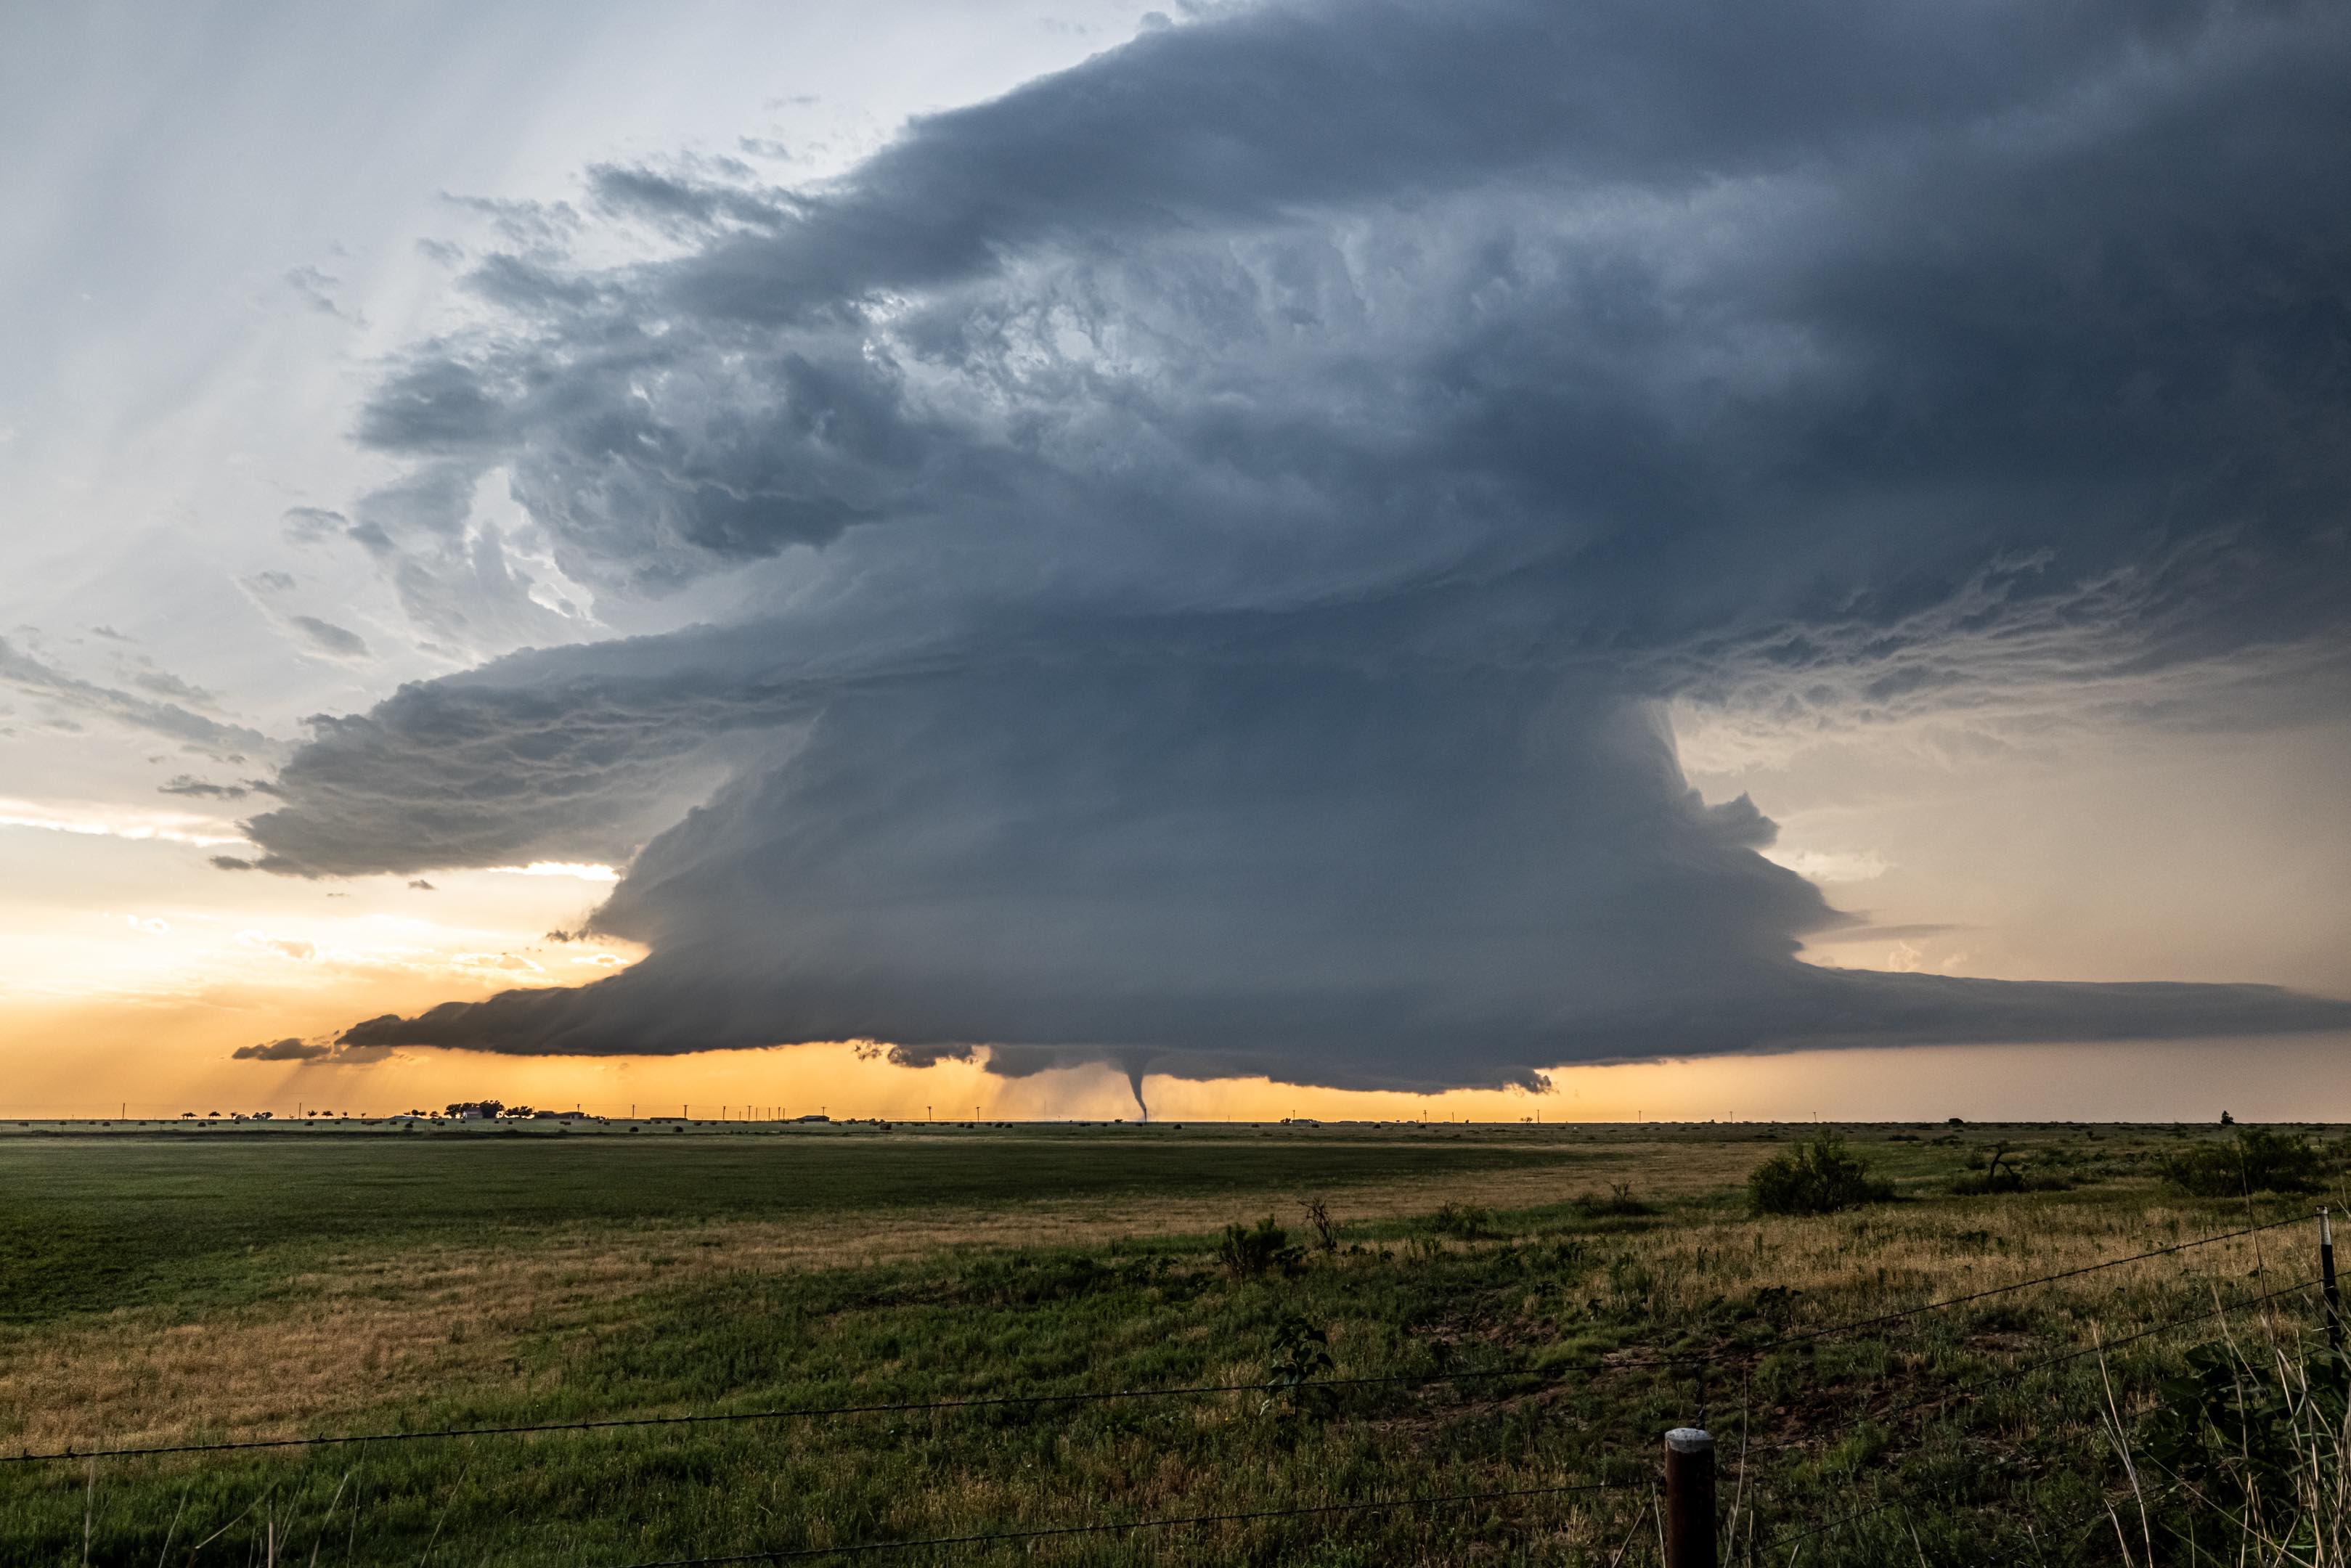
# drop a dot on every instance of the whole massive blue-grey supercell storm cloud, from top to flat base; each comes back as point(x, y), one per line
point(1212, 535)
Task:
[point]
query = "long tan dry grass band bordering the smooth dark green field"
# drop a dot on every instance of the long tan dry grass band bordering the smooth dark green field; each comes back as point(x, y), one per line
point(363, 1329)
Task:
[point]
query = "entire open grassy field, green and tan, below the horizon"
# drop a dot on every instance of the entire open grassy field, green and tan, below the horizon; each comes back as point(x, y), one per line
point(173, 1287)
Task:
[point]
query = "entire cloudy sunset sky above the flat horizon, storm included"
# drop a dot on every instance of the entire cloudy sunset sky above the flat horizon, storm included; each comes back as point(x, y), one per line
point(916, 558)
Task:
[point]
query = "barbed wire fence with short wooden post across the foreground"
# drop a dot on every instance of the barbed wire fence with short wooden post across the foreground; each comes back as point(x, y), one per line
point(1670, 1489)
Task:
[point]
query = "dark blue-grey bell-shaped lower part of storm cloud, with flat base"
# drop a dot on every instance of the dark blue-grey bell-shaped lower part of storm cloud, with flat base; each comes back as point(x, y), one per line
point(1193, 862)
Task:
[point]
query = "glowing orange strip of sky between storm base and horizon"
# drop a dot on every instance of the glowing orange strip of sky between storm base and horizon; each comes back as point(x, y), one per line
point(161, 1076)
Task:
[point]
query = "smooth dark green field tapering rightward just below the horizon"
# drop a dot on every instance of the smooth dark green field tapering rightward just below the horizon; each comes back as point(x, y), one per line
point(203, 1224)
